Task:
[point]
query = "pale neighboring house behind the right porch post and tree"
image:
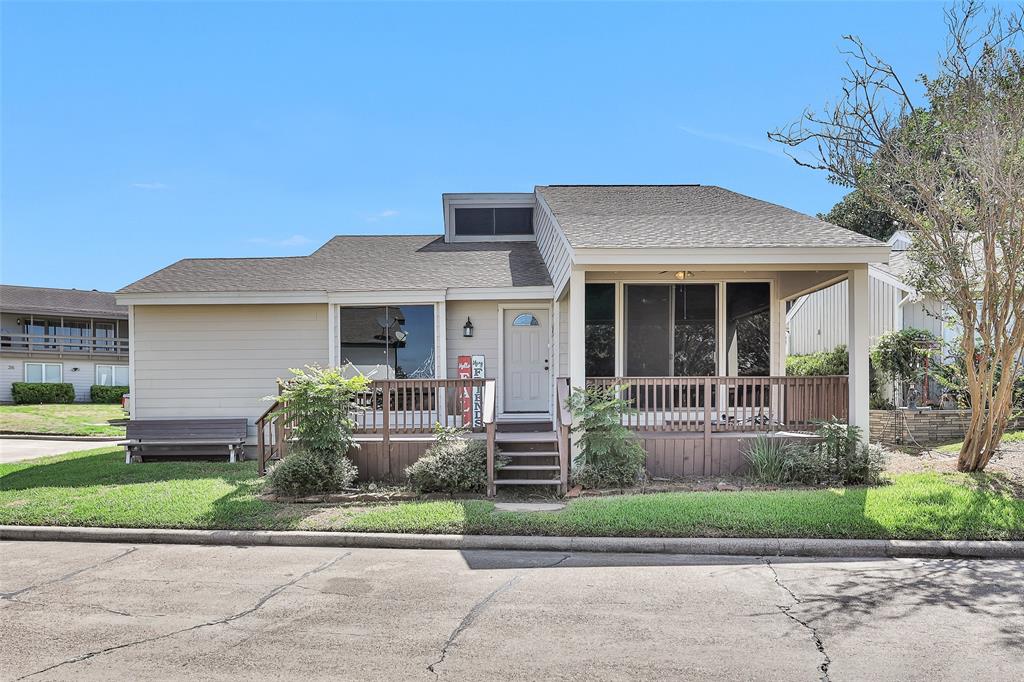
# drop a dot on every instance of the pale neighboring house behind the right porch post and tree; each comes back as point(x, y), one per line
point(819, 322)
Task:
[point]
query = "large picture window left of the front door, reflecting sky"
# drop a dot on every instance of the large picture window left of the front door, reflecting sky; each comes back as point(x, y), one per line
point(390, 342)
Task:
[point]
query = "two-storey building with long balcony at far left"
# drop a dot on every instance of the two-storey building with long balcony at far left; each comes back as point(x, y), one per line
point(62, 336)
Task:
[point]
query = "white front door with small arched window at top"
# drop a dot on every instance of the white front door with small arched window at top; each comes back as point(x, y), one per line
point(526, 350)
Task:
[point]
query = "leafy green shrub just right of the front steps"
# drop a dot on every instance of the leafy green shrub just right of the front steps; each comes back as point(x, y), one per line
point(610, 453)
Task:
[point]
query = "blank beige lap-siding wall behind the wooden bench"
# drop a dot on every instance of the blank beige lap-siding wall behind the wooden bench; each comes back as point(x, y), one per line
point(221, 361)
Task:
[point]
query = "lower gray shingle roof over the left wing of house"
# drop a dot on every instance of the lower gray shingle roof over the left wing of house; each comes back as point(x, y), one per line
point(361, 264)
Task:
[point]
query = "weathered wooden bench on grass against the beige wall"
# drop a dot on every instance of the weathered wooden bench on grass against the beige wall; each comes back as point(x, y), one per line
point(186, 438)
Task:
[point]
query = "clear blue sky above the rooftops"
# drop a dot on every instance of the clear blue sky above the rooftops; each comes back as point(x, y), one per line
point(138, 135)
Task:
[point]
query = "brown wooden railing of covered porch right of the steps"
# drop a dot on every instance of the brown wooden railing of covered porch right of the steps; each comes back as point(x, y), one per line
point(722, 405)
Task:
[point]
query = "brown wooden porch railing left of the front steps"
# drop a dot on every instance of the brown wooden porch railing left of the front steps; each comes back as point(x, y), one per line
point(397, 407)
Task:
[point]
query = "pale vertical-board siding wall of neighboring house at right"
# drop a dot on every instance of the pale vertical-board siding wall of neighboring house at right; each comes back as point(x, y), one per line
point(822, 322)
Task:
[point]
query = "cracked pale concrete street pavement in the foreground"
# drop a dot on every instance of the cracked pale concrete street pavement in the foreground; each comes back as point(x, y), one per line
point(112, 612)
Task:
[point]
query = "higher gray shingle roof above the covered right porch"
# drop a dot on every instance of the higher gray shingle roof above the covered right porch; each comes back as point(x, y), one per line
point(686, 217)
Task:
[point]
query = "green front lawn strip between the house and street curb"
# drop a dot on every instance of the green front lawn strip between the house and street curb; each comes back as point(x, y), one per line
point(96, 488)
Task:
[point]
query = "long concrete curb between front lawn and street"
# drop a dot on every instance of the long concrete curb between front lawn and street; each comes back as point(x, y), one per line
point(728, 546)
